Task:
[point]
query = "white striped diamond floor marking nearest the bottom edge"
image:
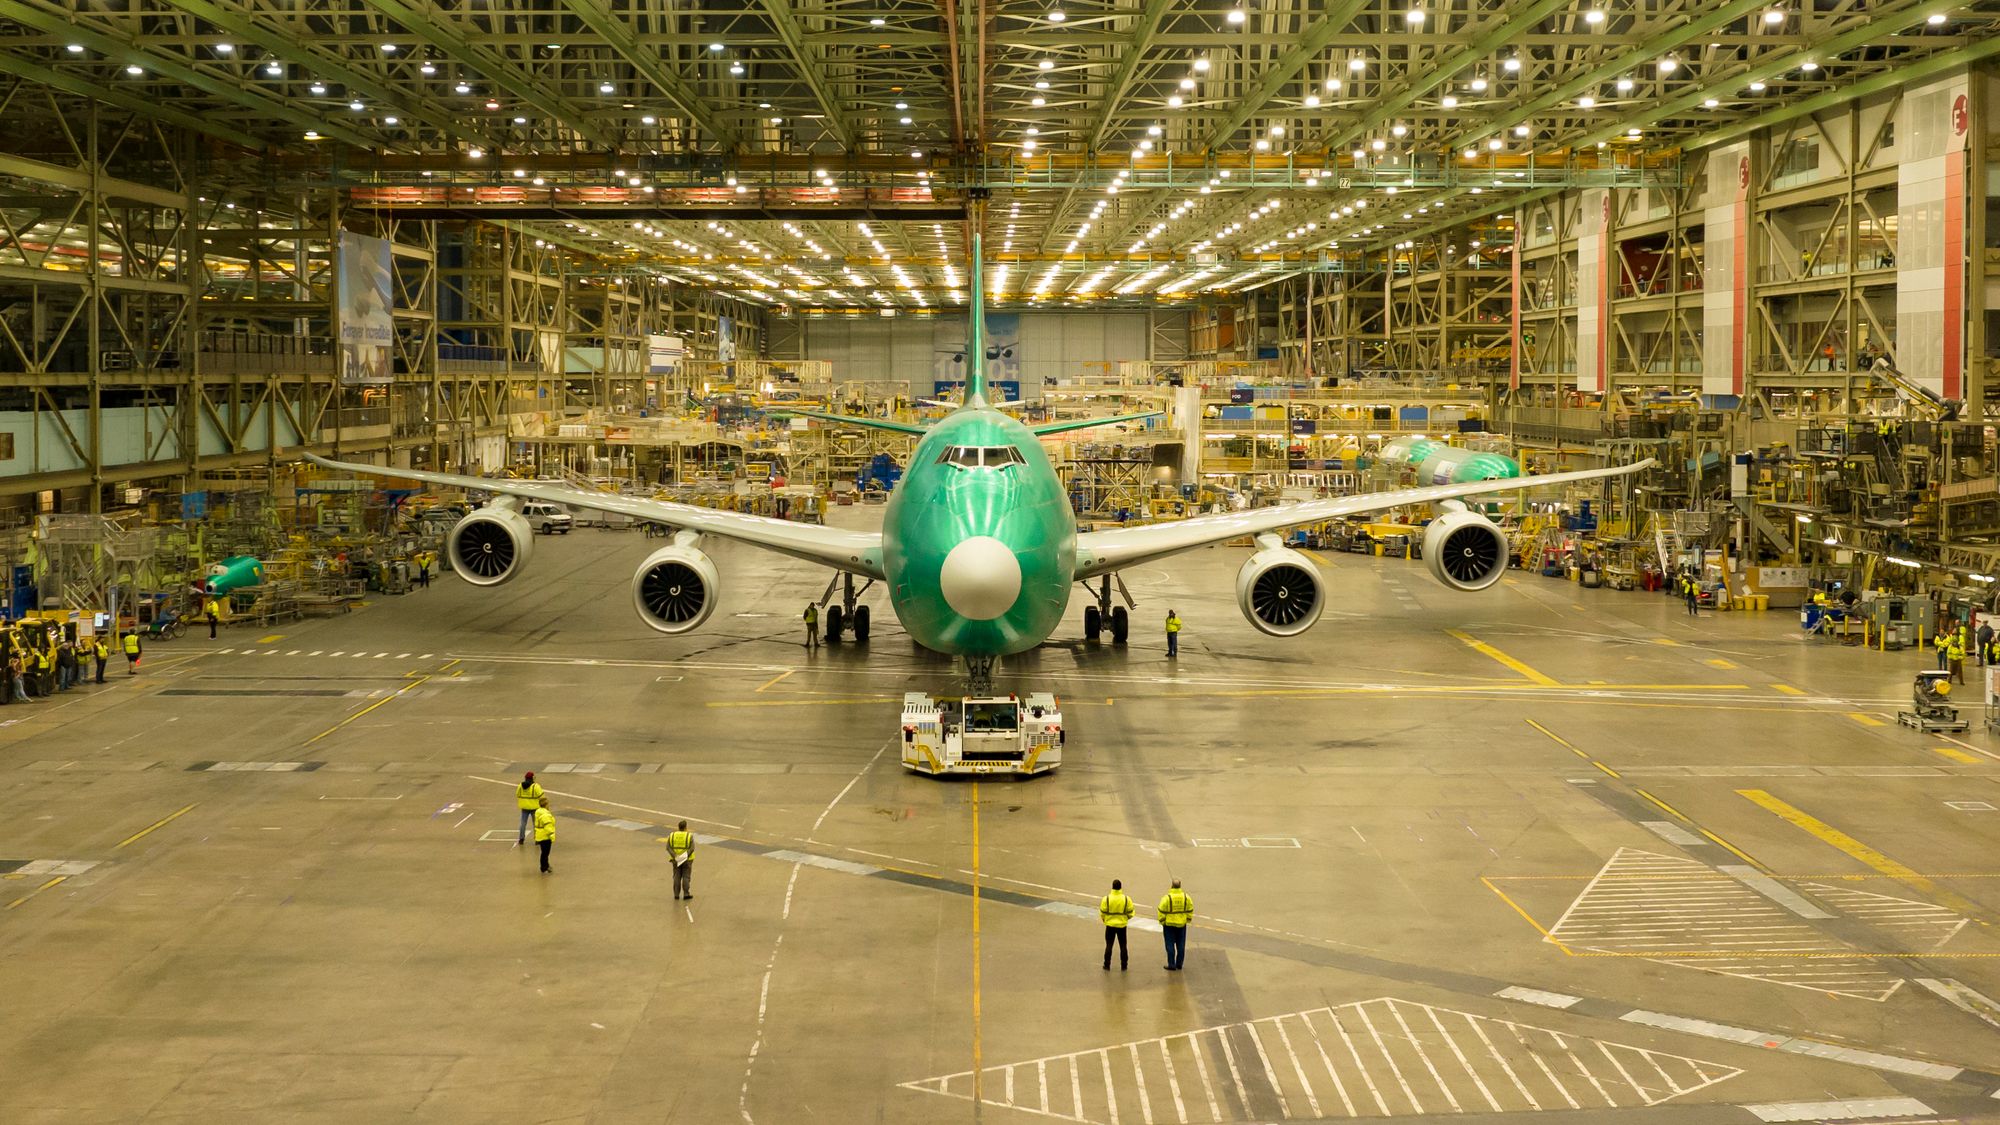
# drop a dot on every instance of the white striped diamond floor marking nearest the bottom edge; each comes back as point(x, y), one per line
point(1153, 1074)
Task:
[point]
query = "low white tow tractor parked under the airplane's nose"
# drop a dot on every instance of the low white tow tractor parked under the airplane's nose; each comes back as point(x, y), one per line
point(1001, 734)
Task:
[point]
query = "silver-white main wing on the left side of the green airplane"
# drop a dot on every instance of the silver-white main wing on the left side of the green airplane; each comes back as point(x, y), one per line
point(855, 551)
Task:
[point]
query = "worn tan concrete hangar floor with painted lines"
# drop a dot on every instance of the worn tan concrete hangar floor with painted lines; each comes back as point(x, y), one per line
point(1537, 852)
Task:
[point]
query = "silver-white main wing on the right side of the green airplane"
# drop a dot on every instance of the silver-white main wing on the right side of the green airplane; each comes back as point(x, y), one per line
point(1115, 549)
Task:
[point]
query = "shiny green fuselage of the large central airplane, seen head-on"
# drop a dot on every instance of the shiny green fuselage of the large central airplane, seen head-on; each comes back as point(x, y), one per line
point(941, 505)
